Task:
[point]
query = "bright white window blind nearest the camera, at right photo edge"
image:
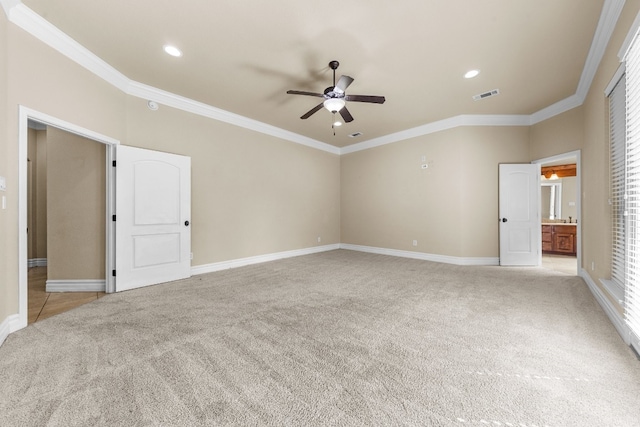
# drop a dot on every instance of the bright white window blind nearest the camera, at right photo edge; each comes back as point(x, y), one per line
point(632, 276)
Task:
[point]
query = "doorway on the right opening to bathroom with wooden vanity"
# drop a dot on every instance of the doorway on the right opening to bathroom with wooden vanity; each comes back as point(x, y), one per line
point(561, 212)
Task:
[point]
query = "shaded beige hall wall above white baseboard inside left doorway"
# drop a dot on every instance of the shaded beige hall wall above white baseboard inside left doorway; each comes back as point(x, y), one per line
point(76, 207)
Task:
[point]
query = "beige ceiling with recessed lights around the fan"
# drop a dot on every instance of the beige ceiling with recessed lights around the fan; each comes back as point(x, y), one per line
point(242, 56)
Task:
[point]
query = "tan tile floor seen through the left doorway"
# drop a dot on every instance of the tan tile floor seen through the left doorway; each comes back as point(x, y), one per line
point(43, 304)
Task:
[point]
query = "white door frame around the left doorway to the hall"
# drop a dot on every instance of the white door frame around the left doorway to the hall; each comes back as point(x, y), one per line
point(24, 115)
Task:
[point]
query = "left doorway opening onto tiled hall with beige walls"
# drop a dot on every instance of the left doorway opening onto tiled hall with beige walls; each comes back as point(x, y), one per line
point(65, 208)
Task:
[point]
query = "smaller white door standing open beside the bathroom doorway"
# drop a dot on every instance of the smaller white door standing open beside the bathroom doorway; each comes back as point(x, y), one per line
point(520, 229)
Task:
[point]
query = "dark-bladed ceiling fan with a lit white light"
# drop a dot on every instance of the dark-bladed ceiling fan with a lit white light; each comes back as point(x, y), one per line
point(335, 97)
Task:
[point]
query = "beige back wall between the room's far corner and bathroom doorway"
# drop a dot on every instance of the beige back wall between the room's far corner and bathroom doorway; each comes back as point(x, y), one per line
point(450, 208)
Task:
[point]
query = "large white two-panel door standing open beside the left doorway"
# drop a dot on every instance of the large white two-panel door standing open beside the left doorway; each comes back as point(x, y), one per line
point(153, 210)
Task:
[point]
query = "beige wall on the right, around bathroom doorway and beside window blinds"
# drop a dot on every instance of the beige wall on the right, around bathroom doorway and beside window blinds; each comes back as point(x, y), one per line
point(586, 128)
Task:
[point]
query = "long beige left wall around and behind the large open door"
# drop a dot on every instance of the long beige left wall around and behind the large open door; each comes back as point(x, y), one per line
point(252, 194)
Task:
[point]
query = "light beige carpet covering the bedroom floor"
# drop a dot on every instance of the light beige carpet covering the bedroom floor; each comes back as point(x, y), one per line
point(334, 339)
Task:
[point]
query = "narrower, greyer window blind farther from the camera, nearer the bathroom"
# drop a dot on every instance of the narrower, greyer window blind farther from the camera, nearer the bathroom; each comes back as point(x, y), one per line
point(618, 129)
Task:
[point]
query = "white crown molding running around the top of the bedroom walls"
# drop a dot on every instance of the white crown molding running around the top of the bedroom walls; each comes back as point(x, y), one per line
point(44, 31)
